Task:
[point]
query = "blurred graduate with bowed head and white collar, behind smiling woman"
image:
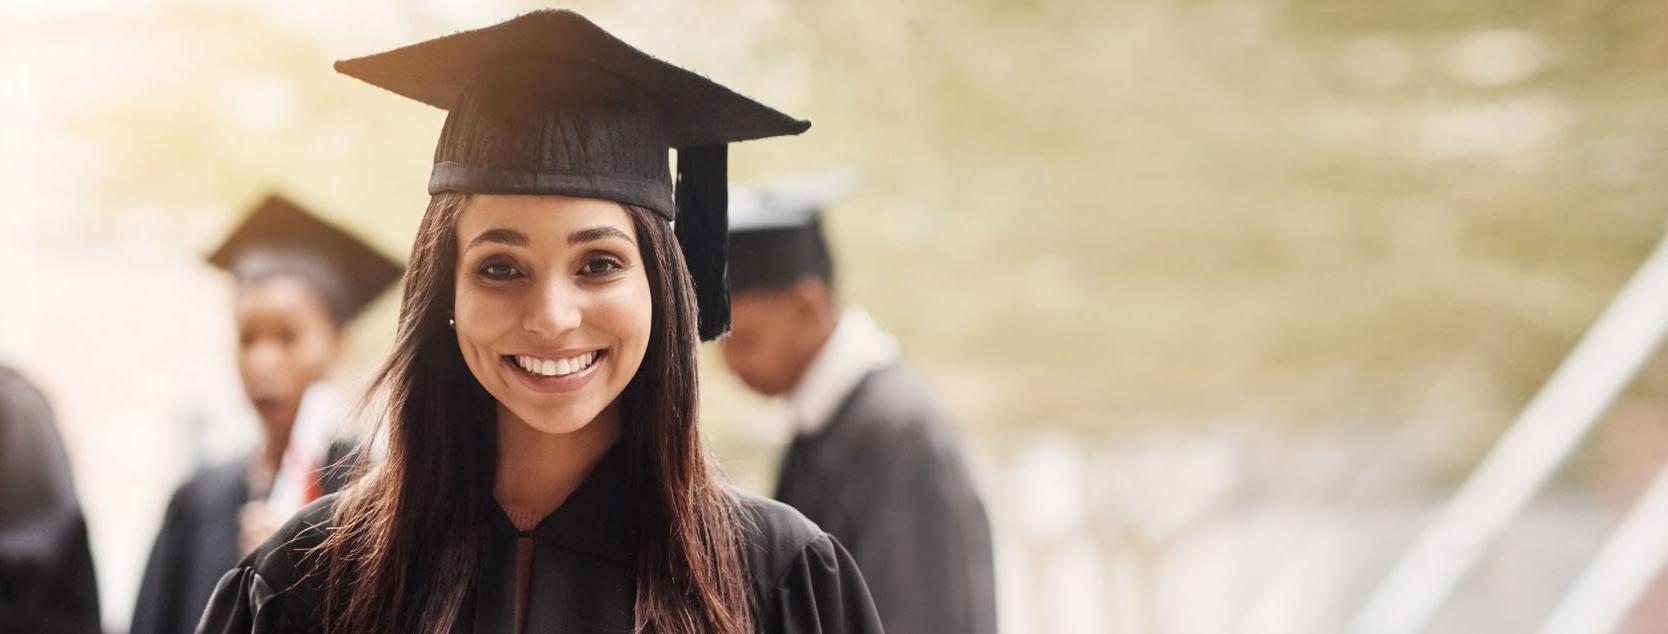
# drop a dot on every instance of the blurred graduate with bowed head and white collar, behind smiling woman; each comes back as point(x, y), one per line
point(873, 461)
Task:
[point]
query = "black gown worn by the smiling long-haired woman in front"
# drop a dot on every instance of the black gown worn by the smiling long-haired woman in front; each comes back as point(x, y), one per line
point(583, 571)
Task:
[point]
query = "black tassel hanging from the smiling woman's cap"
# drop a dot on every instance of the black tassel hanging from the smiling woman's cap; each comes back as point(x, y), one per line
point(703, 231)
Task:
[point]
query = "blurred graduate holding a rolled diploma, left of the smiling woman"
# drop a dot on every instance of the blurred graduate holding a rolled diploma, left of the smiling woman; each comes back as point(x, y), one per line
point(299, 283)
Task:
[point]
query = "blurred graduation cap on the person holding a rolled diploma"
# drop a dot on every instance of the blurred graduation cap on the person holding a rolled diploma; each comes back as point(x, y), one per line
point(281, 238)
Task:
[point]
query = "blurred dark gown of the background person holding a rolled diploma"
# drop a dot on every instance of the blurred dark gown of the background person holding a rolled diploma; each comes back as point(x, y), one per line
point(198, 545)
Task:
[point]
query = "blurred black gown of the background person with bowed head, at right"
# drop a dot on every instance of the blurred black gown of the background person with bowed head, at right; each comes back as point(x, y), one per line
point(887, 478)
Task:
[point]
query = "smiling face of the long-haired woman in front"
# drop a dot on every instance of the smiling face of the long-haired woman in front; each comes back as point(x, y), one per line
point(553, 308)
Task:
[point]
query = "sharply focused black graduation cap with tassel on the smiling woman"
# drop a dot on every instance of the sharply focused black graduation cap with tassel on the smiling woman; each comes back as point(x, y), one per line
point(550, 103)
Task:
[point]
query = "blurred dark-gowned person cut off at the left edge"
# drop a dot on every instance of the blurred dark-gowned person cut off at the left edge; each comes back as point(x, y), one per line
point(46, 568)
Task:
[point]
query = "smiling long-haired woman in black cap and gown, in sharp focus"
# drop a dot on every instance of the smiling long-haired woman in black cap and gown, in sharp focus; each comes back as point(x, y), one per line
point(545, 463)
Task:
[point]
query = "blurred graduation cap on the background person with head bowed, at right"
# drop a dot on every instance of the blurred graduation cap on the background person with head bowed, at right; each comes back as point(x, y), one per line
point(776, 229)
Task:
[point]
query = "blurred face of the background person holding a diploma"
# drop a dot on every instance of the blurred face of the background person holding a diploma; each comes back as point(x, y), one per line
point(286, 343)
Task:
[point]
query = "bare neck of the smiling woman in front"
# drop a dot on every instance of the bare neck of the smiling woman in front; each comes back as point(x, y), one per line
point(538, 471)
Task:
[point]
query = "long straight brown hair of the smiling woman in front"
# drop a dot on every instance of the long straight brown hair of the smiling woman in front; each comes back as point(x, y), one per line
point(411, 531)
